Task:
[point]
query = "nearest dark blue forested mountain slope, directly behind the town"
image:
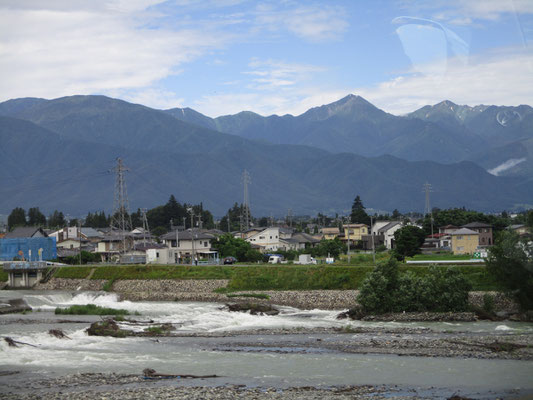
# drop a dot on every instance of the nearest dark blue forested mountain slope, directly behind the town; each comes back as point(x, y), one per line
point(42, 168)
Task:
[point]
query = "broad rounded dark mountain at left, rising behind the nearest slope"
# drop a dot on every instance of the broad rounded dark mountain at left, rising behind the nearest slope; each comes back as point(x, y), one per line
point(99, 119)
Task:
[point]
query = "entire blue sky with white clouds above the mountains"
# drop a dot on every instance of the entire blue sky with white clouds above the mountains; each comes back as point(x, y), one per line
point(270, 57)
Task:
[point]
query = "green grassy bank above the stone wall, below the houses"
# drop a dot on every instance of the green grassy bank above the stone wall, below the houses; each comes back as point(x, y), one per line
point(266, 277)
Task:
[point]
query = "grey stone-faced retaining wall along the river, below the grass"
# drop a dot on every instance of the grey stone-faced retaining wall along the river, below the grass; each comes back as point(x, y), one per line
point(203, 290)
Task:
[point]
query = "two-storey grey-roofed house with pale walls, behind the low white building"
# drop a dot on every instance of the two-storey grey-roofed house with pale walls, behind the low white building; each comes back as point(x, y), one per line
point(190, 246)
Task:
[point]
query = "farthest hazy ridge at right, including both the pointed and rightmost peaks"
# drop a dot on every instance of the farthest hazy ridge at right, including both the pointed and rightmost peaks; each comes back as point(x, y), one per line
point(445, 132)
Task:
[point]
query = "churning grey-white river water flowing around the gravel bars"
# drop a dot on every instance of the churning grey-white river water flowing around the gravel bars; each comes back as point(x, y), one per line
point(277, 362)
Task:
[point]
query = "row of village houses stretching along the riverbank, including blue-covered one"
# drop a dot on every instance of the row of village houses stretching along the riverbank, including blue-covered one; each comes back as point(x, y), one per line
point(195, 246)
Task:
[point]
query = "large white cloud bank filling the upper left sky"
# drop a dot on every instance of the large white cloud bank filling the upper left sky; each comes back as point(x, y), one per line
point(91, 49)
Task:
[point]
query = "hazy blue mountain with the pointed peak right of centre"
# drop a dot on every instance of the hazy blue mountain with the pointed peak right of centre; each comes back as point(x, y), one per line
point(351, 124)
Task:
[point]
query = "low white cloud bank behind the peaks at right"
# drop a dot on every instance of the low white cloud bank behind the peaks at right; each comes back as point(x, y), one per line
point(504, 79)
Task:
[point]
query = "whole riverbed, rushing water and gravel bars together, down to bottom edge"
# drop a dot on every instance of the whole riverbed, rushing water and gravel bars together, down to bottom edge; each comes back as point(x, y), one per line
point(204, 350)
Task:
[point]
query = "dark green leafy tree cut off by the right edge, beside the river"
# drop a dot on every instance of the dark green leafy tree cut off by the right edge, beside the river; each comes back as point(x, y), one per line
point(510, 261)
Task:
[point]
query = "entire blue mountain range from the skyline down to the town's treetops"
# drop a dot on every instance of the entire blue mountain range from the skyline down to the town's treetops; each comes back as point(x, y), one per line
point(59, 154)
